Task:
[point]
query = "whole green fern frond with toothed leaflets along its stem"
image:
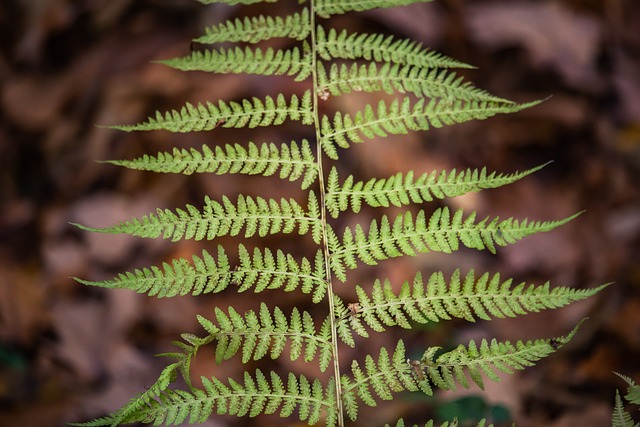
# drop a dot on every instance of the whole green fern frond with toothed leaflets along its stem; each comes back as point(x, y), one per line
point(421, 91)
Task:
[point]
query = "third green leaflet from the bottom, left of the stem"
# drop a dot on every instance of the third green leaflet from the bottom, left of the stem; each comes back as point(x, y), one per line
point(206, 274)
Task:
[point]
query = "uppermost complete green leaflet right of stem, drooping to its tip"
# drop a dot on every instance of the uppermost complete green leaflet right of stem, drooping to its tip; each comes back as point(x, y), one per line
point(380, 48)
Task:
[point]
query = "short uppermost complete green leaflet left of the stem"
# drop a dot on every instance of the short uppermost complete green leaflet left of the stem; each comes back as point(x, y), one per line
point(258, 28)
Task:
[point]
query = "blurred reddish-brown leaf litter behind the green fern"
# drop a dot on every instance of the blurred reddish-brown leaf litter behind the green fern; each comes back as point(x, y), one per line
point(70, 353)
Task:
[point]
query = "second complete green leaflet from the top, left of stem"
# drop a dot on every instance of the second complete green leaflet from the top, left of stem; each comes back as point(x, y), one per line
point(250, 60)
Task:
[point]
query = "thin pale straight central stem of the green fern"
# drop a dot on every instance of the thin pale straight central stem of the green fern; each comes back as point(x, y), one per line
point(323, 217)
